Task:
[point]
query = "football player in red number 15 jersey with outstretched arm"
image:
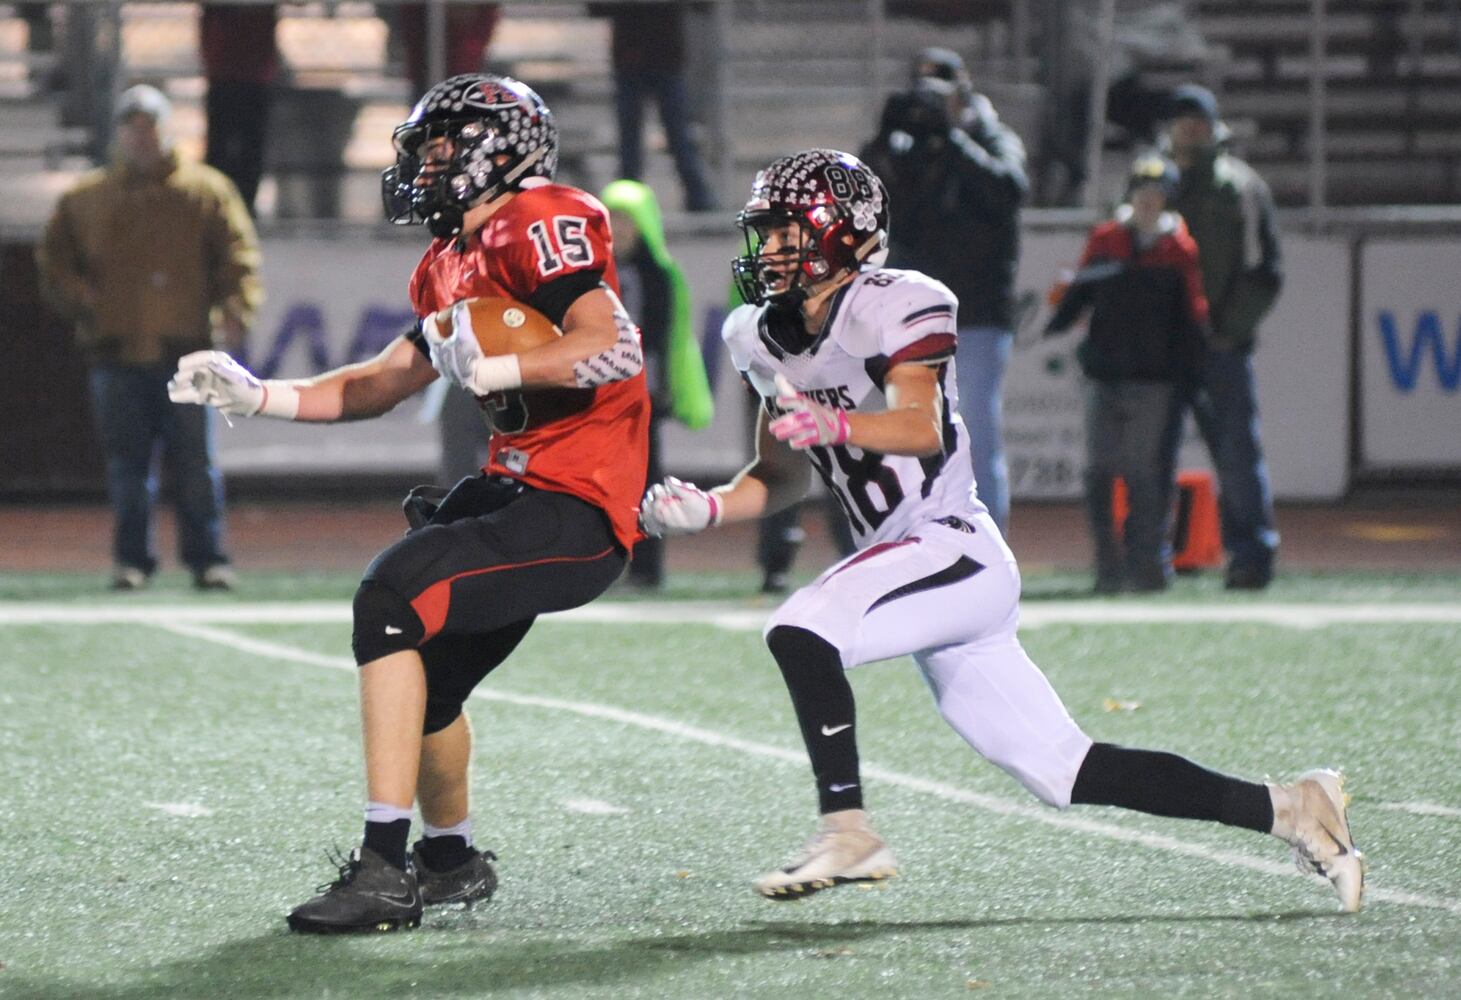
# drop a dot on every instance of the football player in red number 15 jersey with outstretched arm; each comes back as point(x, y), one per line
point(547, 524)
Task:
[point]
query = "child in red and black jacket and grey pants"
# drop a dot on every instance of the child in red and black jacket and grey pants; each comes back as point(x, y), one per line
point(1140, 281)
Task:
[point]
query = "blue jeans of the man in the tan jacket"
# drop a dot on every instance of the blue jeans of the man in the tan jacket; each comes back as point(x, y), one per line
point(135, 420)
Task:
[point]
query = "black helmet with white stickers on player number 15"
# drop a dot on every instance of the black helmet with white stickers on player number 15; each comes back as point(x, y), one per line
point(500, 134)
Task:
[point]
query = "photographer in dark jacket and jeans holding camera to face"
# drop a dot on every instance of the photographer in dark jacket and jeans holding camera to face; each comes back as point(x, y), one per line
point(956, 182)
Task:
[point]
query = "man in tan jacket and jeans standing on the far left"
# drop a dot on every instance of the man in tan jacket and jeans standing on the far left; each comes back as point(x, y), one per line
point(154, 258)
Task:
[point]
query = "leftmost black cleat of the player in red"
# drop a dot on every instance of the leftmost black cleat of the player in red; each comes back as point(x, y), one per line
point(370, 895)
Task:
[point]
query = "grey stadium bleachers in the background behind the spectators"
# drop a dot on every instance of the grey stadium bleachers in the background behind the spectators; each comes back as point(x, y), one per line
point(1392, 74)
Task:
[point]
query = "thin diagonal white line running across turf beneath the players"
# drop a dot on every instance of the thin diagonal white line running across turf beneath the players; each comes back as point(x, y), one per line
point(952, 793)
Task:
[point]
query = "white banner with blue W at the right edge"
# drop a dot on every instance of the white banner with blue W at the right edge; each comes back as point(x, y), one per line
point(1411, 355)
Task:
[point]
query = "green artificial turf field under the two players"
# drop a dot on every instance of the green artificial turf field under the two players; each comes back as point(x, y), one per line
point(629, 841)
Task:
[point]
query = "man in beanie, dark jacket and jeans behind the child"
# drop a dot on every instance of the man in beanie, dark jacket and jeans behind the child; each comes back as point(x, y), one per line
point(1231, 216)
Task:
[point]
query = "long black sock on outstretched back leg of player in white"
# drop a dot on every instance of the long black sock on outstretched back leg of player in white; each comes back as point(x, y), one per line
point(1164, 784)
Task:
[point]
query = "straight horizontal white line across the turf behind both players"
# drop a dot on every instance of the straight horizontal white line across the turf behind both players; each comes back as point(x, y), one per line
point(739, 618)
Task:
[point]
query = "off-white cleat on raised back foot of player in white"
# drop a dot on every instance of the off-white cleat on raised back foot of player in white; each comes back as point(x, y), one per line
point(1311, 817)
